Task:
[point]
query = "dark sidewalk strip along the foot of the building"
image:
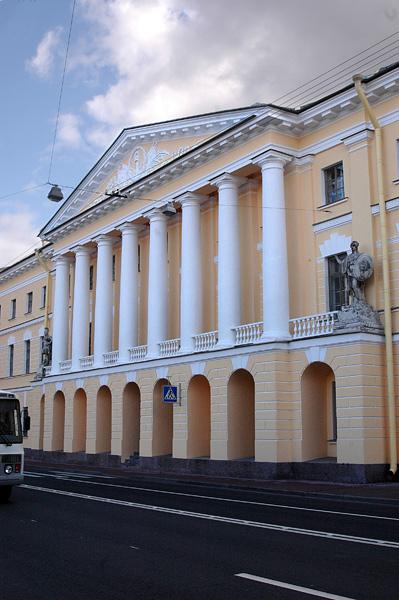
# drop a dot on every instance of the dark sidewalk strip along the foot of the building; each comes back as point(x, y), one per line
point(384, 492)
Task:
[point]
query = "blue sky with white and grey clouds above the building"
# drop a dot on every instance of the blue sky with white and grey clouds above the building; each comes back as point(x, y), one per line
point(132, 62)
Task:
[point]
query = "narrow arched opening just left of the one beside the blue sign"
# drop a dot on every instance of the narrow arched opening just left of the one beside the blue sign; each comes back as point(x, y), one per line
point(131, 420)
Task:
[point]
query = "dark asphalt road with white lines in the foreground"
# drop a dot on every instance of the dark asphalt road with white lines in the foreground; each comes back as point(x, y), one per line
point(70, 534)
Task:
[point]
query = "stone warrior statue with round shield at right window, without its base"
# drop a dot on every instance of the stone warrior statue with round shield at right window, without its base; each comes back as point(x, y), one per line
point(357, 267)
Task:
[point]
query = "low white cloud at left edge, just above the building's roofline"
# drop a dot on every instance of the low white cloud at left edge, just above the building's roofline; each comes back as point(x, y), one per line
point(18, 235)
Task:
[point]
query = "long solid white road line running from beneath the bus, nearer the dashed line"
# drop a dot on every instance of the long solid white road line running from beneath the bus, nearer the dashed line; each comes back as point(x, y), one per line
point(229, 520)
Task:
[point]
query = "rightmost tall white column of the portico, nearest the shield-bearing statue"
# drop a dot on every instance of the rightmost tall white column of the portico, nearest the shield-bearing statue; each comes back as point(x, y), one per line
point(274, 247)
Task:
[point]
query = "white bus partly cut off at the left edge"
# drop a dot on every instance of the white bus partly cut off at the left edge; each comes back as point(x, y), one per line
point(11, 448)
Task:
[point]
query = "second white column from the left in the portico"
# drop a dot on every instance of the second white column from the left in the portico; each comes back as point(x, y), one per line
point(81, 306)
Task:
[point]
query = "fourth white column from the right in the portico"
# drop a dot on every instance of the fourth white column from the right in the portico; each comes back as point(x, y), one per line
point(157, 283)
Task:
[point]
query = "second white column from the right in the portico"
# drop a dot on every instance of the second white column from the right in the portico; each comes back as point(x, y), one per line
point(229, 288)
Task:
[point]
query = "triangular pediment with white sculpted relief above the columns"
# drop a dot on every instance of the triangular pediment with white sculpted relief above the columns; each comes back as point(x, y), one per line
point(139, 151)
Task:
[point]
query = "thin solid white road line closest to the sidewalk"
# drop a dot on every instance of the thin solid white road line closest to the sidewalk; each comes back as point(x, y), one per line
point(233, 500)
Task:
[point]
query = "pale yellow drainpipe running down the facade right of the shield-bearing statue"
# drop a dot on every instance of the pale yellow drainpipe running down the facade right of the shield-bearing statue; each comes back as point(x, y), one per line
point(393, 452)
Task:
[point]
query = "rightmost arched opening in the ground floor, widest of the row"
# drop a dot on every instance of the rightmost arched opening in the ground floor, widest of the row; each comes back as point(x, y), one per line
point(319, 418)
